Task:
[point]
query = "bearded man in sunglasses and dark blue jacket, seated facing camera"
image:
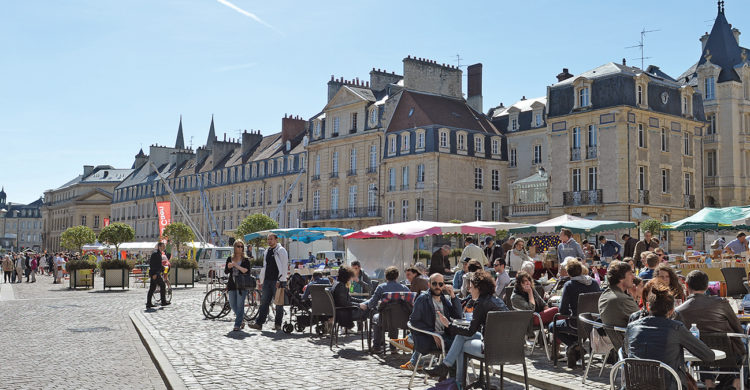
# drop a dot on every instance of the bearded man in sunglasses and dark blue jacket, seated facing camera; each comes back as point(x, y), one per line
point(439, 298)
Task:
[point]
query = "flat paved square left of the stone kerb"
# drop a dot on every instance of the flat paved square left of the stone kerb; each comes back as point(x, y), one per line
point(57, 338)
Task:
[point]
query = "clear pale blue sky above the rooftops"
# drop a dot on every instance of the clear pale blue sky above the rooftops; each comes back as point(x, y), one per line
point(90, 82)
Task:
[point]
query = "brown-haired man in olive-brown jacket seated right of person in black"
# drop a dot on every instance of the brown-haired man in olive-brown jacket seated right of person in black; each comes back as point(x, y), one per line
point(615, 305)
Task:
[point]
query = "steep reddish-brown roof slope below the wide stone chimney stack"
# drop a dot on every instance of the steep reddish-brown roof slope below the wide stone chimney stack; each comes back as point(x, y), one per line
point(417, 109)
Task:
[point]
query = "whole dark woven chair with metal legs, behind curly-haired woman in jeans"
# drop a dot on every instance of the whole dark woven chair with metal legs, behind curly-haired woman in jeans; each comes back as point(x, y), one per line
point(503, 347)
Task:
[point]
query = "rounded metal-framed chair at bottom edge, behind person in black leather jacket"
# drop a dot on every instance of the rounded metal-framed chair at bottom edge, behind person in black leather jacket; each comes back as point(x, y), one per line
point(643, 374)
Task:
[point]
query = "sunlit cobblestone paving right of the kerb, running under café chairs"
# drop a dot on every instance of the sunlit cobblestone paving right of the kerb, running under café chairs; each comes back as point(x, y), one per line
point(206, 354)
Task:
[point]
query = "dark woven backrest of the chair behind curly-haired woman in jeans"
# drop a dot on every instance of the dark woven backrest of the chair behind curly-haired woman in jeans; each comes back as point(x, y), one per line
point(505, 336)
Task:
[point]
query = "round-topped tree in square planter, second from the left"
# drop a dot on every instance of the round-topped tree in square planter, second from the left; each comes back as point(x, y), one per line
point(116, 272)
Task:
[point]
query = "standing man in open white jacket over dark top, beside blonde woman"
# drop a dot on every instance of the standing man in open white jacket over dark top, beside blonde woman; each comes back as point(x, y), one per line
point(272, 276)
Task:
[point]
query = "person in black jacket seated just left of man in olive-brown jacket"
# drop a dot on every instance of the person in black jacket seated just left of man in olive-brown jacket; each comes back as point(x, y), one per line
point(578, 284)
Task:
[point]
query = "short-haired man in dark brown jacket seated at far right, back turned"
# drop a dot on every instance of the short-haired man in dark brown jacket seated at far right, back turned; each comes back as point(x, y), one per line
point(712, 315)
